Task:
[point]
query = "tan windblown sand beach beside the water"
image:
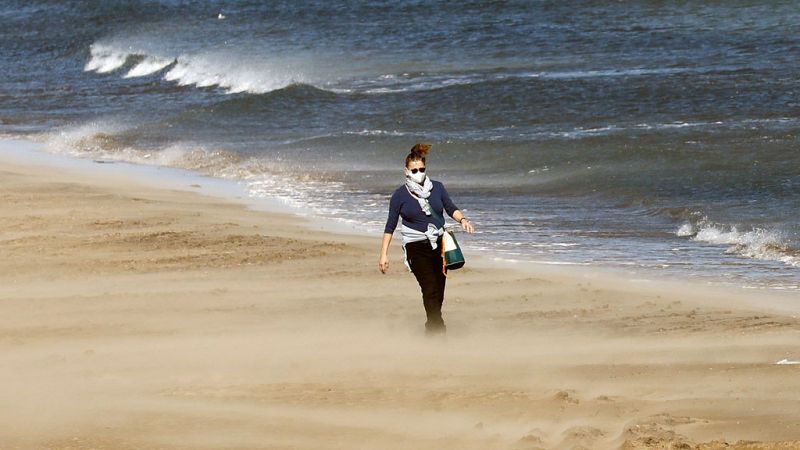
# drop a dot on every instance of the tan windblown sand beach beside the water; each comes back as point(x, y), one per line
point(133, 317)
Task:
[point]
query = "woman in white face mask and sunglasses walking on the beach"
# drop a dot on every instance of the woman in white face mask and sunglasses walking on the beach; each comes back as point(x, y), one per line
point(420, 203)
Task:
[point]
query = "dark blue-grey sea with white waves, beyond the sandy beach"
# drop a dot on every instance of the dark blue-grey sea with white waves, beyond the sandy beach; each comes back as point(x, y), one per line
point(660, 138)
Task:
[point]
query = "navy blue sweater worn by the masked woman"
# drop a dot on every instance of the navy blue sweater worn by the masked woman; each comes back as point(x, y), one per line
point(405, 205)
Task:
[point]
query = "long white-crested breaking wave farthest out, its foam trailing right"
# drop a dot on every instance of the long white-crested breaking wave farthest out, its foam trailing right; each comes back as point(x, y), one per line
point(236, 71)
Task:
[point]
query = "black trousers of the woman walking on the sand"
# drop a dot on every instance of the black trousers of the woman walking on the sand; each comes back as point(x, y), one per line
point(428, 267)
